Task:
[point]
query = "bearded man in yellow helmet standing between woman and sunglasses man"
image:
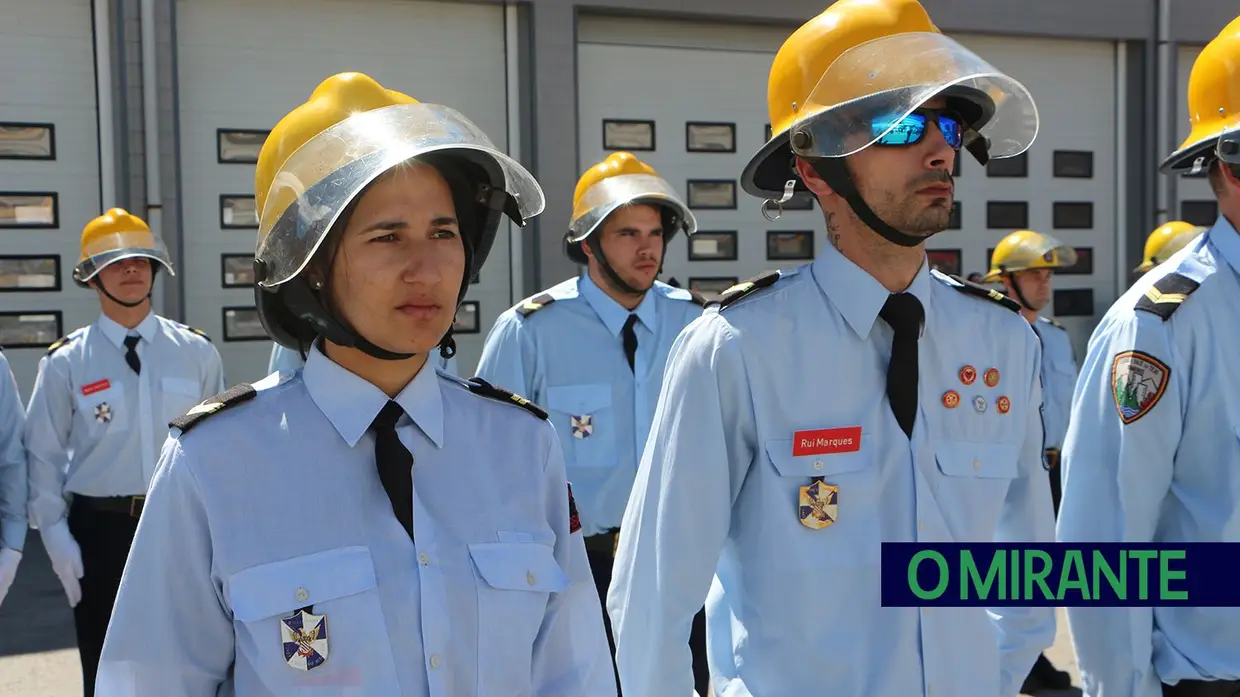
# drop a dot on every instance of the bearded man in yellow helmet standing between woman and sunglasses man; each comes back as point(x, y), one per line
point(567, 348)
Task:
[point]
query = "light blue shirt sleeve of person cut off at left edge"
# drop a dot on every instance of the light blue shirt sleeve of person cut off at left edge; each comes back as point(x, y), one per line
point(13, 463)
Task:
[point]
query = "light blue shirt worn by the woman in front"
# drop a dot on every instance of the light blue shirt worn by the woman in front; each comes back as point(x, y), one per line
point(276, 505)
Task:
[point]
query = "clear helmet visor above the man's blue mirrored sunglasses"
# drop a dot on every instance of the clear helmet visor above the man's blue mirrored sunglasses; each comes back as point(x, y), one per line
point(870, 89)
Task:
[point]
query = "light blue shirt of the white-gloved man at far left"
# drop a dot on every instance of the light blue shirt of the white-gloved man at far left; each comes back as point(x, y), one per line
point(87, 401)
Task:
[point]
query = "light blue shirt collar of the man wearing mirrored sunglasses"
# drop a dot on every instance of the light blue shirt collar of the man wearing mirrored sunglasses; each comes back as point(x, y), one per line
point(856, 295)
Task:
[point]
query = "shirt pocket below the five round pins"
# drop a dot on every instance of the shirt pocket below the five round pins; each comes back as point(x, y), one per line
point(974, 483)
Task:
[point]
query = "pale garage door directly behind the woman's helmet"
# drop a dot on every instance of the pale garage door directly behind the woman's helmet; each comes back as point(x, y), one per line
point(244, 65)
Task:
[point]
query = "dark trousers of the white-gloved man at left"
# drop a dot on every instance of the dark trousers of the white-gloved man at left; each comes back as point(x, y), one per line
point(105, 530)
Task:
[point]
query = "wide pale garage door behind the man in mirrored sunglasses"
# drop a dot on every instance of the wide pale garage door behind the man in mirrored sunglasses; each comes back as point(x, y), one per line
point(691, 100)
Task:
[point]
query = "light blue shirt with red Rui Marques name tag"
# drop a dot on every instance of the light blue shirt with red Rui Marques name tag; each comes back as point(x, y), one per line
point(795, 611)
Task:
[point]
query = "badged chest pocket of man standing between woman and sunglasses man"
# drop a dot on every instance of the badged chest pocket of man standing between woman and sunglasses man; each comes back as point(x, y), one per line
point(586, 421)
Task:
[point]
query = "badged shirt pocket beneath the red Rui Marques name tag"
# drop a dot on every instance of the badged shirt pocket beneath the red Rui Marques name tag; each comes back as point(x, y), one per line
point(831, 503)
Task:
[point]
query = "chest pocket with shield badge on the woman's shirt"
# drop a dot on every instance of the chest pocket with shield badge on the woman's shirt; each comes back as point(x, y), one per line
point(318, 615)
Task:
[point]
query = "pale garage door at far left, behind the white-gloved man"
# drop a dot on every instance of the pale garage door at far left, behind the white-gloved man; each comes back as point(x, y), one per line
point(49, 174)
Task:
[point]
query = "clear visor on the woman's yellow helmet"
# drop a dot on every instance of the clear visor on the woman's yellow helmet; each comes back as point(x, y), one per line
point(322, 178)
